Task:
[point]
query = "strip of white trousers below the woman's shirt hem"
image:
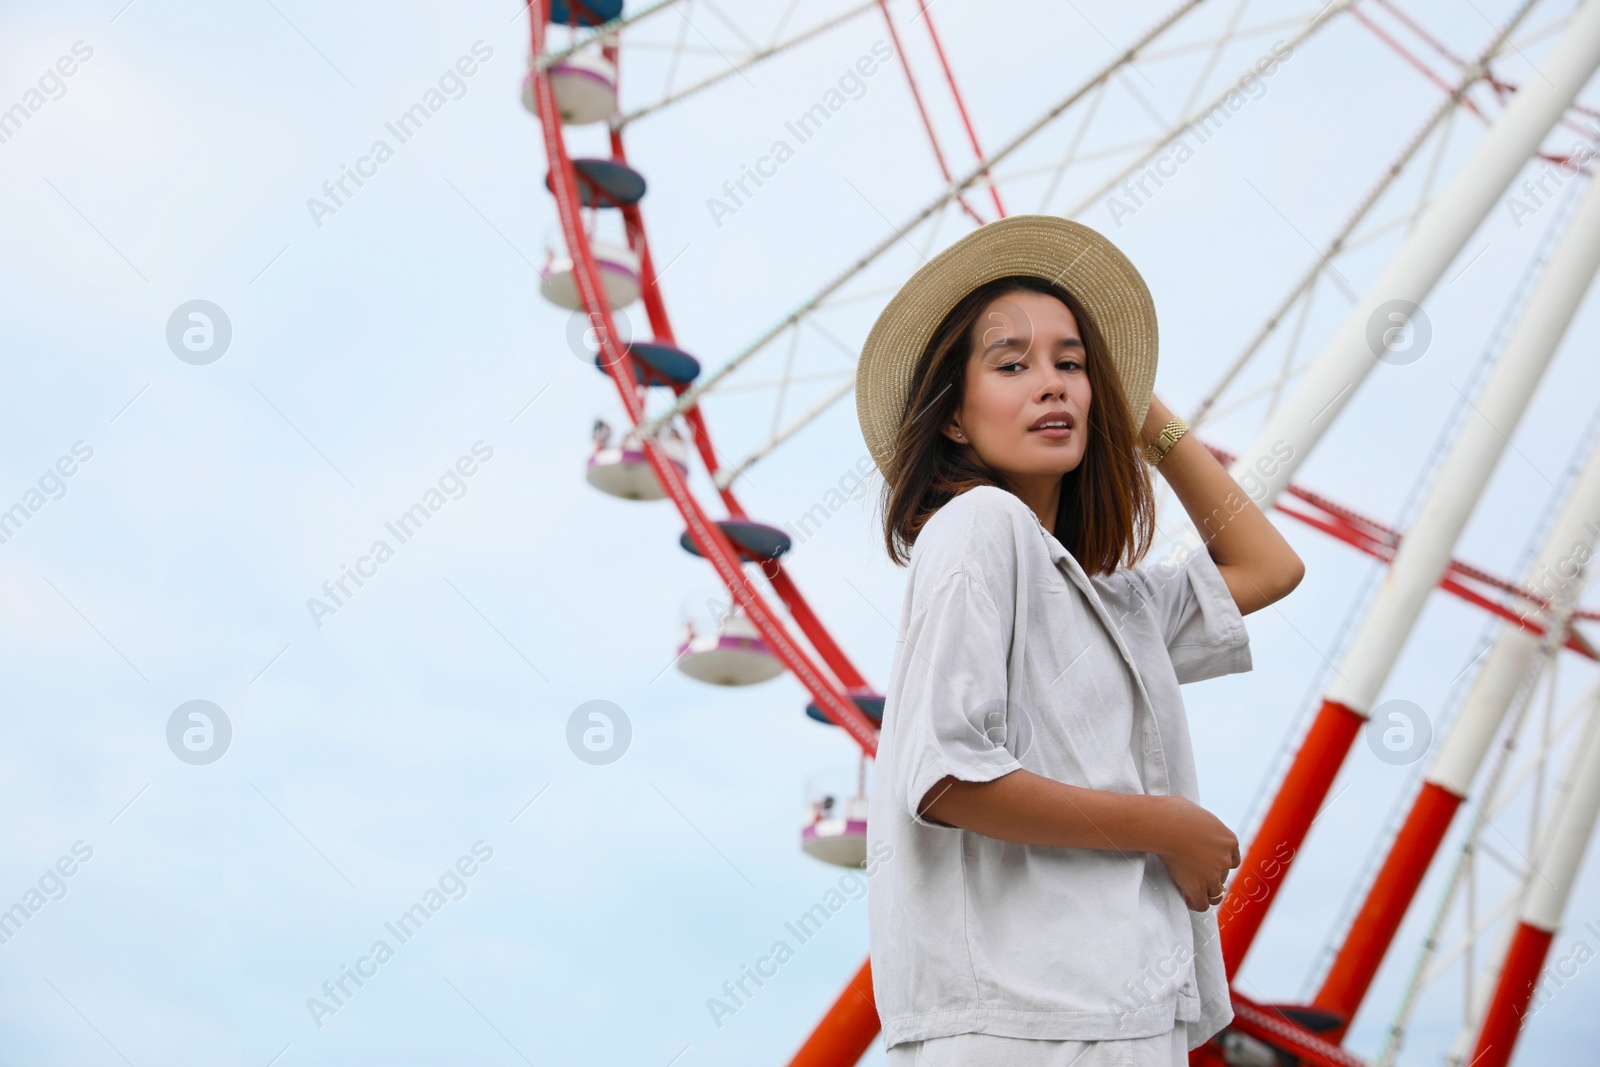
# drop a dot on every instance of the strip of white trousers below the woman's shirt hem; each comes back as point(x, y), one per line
point(988, 1050)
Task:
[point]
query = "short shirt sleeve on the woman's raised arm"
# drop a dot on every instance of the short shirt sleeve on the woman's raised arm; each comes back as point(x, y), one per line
point(1196, 613)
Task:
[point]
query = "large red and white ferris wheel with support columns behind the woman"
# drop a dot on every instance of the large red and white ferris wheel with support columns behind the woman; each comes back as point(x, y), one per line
point(1505, 745)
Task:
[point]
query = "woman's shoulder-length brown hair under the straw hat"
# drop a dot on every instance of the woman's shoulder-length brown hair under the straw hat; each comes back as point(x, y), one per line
point(1108, 506)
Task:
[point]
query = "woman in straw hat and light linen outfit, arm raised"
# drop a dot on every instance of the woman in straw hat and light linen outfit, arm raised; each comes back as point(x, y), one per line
point(1050, 876)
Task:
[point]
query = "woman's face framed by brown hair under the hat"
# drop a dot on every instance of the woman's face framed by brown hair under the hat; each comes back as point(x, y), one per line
point(1025, 367)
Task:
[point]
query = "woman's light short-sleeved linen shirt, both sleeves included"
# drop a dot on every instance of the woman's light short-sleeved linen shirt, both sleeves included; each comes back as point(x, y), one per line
point(1012, 657)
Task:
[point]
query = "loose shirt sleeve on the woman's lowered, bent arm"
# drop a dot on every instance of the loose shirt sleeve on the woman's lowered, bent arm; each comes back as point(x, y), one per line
point(953, 716)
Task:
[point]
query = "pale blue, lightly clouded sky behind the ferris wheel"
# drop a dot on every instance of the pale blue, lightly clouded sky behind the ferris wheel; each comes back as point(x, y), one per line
point(191, 502)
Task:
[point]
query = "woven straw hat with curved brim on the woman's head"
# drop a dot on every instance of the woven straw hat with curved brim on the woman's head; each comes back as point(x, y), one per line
point(1058, 250)
